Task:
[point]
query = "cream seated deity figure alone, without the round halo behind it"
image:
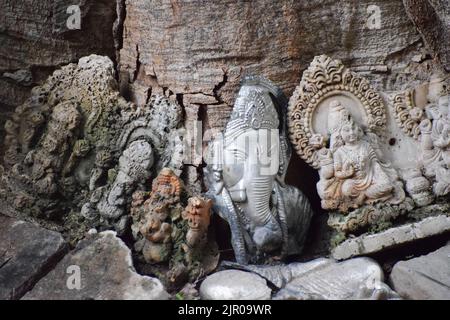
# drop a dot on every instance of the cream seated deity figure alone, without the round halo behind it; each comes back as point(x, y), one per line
point(352, 172)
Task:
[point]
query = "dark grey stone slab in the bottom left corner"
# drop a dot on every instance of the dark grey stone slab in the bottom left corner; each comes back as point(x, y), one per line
point(27, 253)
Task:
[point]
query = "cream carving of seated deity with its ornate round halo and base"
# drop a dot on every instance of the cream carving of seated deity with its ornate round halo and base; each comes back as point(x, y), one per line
point(336, 125)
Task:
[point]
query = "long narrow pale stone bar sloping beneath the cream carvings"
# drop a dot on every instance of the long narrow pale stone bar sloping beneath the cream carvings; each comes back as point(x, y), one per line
point(372, 243)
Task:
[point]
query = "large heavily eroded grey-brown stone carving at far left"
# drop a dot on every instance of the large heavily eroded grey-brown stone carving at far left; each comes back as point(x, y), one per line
point(76, 151)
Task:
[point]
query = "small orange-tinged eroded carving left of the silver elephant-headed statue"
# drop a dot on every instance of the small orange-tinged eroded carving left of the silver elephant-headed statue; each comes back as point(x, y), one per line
point(173, 236)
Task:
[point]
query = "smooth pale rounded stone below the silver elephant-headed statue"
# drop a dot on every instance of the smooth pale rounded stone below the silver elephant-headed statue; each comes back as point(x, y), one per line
point(234, 285)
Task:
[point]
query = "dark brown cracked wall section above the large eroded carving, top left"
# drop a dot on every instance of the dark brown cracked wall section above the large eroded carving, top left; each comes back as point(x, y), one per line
point(36, 39)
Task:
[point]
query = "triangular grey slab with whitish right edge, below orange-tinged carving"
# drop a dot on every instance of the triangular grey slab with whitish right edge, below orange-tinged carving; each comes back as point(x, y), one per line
point(106, 273)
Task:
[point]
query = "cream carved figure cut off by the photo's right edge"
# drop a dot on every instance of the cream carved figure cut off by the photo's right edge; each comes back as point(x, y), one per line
point(422, 113)
